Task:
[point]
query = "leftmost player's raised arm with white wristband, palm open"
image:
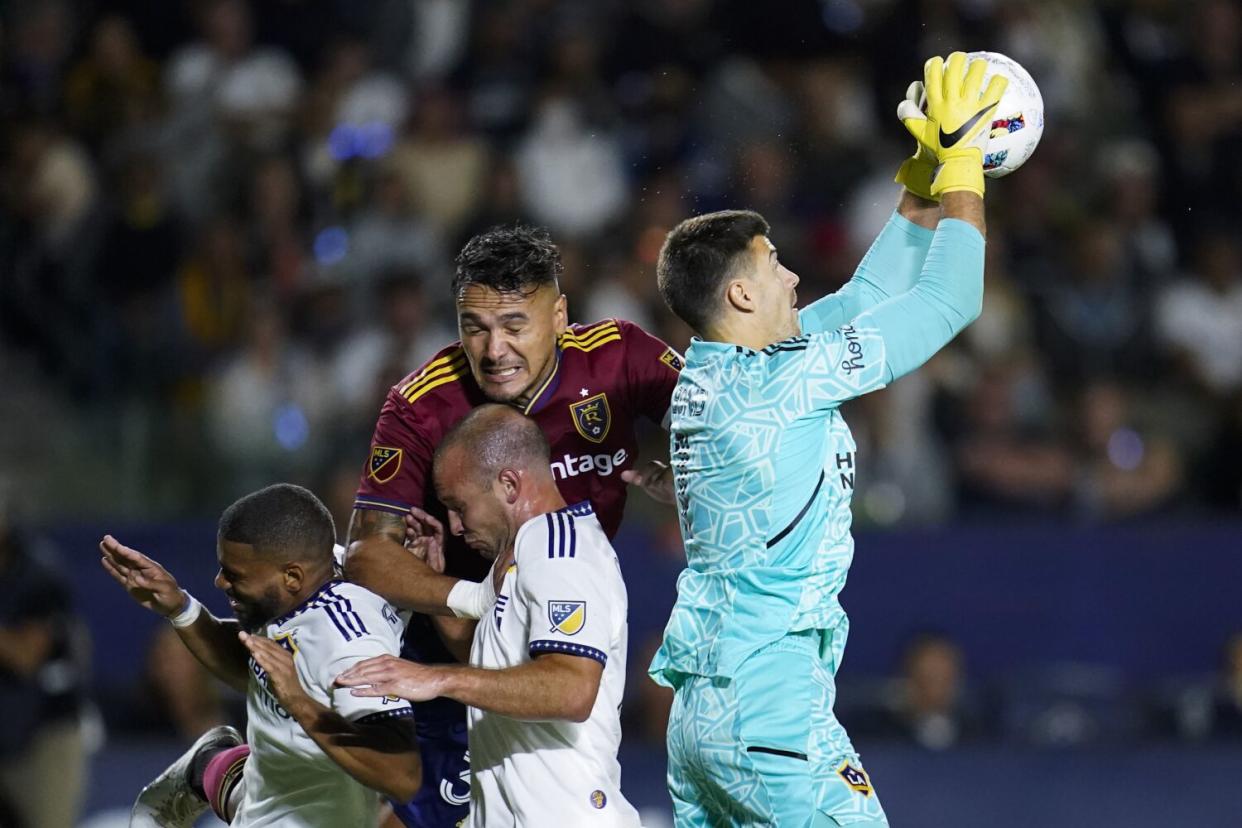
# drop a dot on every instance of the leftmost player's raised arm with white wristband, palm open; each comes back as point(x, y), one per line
point(213, 641)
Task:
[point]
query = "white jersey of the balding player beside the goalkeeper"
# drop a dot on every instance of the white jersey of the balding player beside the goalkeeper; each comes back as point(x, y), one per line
point(563, 594)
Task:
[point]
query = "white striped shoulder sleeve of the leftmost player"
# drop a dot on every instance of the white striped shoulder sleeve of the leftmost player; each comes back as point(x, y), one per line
point(356, 626)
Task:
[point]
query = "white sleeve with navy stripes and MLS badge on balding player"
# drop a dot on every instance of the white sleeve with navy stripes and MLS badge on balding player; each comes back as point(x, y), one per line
point(572, 596)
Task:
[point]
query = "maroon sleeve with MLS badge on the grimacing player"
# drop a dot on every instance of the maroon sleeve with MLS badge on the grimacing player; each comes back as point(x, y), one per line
point(397, 474)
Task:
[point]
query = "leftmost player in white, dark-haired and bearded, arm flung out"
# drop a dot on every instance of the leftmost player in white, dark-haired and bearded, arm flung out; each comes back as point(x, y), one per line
point(315, 755)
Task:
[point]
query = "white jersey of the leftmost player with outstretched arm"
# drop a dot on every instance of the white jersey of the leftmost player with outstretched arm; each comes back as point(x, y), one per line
point(290, 781)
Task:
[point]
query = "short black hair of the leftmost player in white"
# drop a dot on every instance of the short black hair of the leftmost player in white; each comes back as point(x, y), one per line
point(281, 522)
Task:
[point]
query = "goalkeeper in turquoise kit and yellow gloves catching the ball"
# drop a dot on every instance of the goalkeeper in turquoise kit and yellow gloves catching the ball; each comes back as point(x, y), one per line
point(763, 469)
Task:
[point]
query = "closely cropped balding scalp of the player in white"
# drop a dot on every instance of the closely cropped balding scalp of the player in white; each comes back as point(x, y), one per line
point(491, 439)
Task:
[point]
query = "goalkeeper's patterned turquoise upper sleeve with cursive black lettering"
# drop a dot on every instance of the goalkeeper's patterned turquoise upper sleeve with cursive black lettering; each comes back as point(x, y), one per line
point(820, 372)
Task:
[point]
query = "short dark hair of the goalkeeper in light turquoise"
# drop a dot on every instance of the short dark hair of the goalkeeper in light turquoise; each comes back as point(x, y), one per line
point(700, 256)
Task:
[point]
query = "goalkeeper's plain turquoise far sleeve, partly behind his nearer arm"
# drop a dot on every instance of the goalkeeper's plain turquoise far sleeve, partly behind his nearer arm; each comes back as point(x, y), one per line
point(890, 269)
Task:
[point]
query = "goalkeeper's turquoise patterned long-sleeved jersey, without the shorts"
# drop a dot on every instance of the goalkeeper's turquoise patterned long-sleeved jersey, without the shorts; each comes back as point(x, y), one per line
point(764, 465)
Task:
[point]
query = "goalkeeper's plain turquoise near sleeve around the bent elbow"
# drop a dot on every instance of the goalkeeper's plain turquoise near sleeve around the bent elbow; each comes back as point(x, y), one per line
point(947, 297)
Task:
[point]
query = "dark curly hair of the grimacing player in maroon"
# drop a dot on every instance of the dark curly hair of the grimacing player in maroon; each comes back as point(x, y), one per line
point(515, 259)
